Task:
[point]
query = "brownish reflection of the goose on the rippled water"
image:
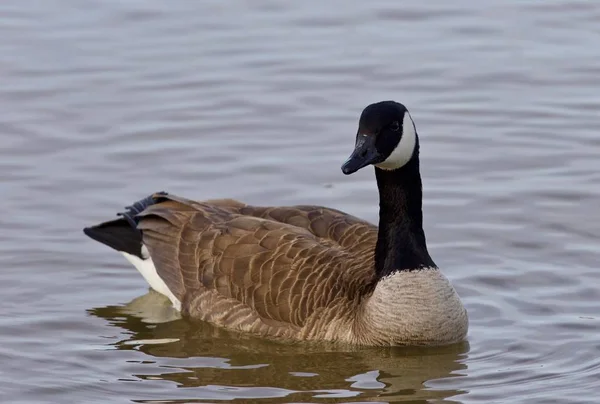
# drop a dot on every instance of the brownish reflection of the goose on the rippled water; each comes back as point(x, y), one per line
point(200, 357)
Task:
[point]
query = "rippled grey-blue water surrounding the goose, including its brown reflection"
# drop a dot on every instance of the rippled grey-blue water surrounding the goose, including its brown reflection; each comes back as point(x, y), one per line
point(104, 102)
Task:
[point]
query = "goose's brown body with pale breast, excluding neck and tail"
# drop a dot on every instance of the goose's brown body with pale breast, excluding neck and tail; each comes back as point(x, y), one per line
point(301, 273)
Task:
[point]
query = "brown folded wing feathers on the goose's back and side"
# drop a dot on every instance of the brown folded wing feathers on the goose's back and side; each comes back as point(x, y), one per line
point(281, 263)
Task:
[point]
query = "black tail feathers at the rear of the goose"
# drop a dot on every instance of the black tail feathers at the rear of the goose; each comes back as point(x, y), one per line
point(122, 234)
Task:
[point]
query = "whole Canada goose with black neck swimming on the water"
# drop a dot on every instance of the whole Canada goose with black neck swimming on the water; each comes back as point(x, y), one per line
point(303, 272)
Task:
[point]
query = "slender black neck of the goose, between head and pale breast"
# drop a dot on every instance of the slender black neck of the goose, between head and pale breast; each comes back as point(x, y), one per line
point(401, 242)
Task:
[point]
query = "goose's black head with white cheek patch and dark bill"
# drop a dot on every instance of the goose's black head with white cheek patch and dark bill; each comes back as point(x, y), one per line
point(386, 138)
